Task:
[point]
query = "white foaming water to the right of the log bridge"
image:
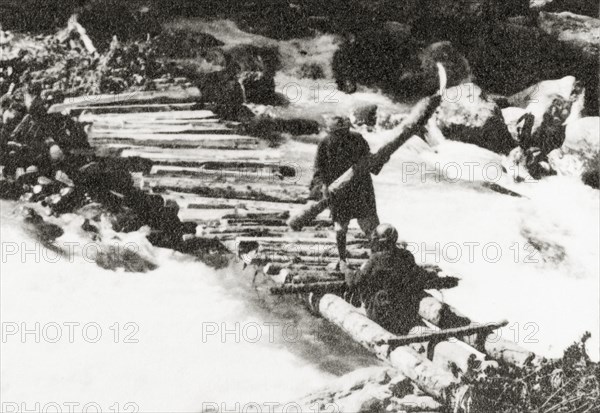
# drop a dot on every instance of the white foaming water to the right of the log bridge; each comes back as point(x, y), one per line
point(532, 260)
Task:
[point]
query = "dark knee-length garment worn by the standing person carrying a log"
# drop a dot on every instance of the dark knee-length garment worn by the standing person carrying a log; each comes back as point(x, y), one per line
point(337, 153)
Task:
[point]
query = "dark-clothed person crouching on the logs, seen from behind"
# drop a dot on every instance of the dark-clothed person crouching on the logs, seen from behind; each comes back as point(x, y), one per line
point(390, 284)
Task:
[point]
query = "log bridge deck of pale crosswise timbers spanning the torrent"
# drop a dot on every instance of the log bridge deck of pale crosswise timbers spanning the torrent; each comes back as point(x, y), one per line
point(241, 191)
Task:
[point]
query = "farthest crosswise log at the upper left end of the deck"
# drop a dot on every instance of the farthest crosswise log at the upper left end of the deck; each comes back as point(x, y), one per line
point(132, 97)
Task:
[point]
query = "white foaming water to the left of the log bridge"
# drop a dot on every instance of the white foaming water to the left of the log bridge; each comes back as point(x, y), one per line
point(195, 336)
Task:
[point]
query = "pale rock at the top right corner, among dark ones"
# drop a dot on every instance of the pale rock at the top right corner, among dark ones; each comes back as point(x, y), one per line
point(583, 32)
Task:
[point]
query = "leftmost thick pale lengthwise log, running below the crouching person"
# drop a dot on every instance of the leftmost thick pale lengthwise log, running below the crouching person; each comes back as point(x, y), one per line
point(430, 378)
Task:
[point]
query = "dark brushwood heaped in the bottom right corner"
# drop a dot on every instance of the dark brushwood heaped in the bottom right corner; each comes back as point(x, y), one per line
point(566, 385)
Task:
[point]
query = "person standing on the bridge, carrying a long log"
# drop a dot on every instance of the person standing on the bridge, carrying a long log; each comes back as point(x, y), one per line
point(337, 153)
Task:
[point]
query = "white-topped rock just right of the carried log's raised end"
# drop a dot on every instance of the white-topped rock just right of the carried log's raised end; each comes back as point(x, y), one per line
point(467, 115)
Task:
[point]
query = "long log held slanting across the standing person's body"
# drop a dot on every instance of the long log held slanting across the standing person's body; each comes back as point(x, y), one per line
point(410, 126)
